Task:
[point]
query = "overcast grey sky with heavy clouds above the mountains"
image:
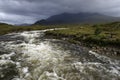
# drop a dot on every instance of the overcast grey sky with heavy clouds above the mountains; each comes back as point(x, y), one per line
point(29, 11)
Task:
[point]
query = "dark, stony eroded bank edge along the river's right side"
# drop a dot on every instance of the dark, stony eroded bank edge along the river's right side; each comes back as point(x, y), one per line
point(104, 48)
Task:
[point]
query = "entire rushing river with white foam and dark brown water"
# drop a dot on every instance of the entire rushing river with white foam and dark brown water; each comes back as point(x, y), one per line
point(30, 56)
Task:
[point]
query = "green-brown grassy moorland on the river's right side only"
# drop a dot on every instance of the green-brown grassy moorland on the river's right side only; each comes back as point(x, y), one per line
point(99, 34)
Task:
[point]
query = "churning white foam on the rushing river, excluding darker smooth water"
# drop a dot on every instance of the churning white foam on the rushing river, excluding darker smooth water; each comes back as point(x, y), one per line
point(44, 60)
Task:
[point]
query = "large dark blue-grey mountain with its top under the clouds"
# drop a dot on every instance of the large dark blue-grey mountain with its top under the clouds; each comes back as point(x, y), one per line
point(67, 18)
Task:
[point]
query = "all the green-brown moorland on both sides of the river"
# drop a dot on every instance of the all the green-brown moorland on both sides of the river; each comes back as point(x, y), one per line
point(99, 34)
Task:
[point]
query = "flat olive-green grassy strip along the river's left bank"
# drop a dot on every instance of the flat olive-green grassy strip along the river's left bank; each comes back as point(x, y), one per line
point(5, 28)
